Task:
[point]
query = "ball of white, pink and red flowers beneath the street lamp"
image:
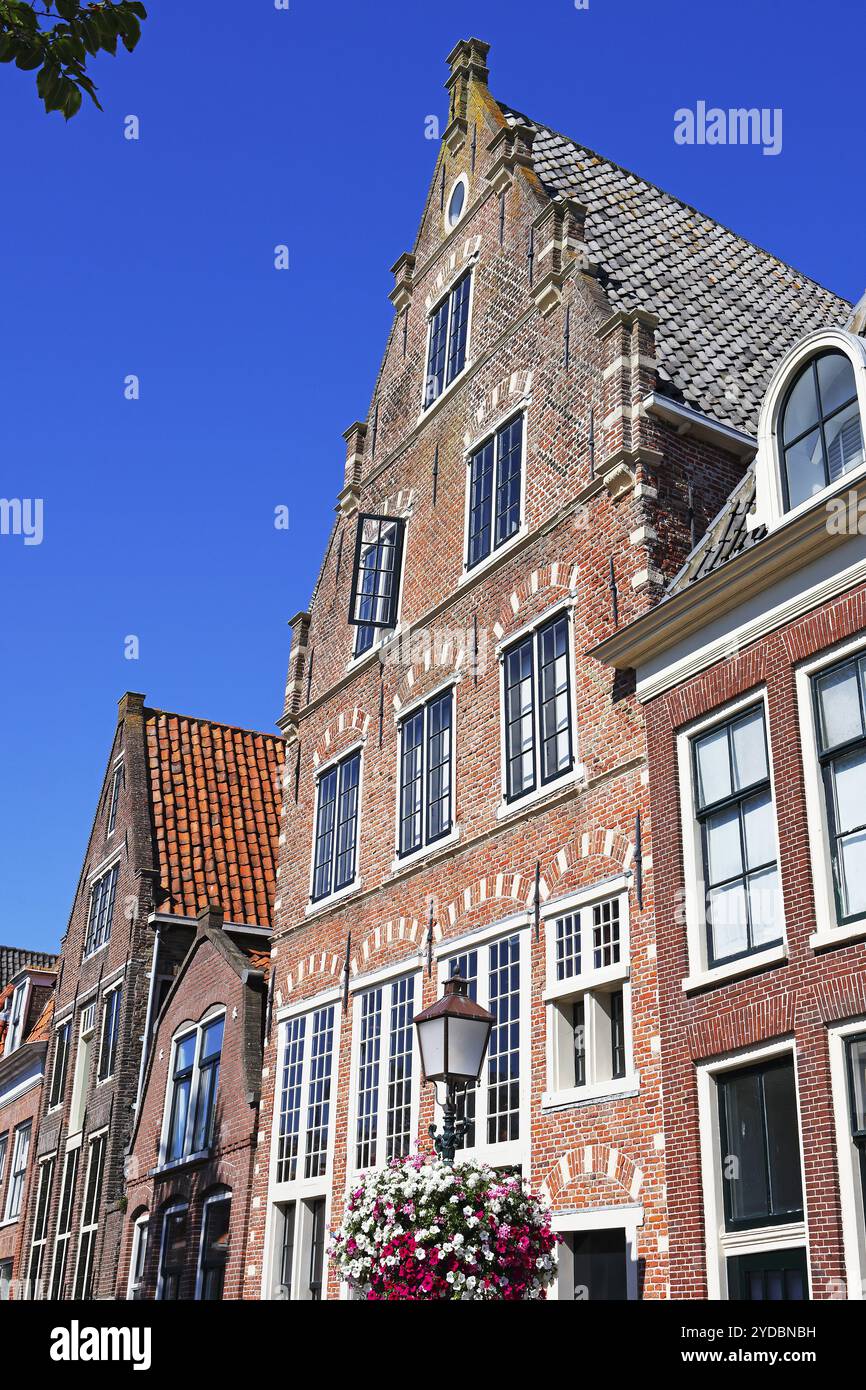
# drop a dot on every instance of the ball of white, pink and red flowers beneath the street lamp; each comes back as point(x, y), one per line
point(425, 1229)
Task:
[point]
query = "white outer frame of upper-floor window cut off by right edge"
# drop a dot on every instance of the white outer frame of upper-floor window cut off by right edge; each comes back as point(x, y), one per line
point(828, 932)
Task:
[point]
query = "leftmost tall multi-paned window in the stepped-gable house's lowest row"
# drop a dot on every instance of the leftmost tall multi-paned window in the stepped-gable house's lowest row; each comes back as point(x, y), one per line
point(305, 1096)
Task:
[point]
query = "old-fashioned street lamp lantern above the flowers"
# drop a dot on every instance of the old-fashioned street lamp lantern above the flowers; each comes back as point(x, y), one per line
point(452, 1039)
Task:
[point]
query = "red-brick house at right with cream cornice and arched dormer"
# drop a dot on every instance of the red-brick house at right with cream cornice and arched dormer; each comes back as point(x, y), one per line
point(753, 679)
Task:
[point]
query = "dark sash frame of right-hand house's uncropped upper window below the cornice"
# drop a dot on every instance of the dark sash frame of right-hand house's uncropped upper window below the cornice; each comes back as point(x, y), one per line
point(736, 800)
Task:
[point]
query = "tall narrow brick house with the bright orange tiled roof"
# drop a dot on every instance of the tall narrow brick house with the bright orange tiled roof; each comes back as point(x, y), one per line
point(188, 814)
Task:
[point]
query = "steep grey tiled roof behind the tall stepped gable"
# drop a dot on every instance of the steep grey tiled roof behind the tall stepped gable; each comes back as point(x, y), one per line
point(728, 311)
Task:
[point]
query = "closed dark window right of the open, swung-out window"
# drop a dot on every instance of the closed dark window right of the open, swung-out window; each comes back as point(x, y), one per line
point(494, 491)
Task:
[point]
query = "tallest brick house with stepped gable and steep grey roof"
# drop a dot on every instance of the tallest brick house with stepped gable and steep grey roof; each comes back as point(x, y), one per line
point(565, 402)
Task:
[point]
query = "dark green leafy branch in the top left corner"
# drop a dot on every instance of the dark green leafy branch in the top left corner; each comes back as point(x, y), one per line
point(59, 52)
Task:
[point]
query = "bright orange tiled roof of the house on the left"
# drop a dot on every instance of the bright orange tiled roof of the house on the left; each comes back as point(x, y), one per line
point(215, 797)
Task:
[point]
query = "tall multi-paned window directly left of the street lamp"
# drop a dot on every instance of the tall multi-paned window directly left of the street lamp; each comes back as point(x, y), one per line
point(386, 1043)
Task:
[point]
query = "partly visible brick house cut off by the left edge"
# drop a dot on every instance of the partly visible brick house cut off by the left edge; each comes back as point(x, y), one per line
point(27, 983)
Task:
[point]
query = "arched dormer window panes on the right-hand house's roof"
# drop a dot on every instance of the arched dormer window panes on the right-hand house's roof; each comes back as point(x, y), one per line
point(821, 436)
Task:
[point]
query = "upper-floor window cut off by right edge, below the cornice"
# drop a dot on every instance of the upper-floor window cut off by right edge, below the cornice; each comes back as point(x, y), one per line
point(842, 729)
